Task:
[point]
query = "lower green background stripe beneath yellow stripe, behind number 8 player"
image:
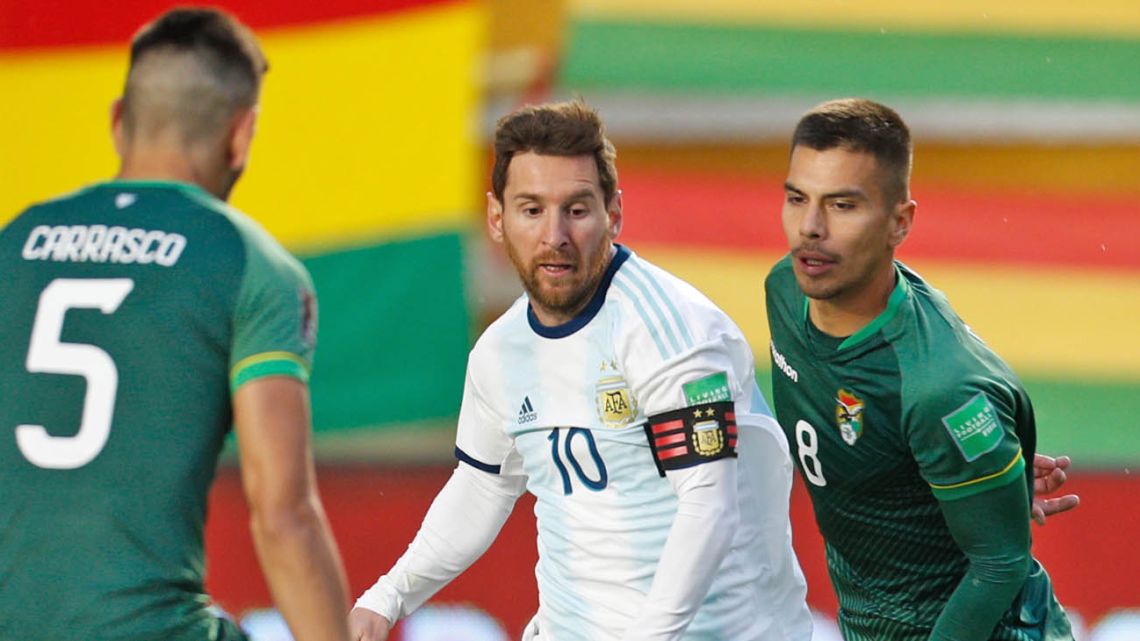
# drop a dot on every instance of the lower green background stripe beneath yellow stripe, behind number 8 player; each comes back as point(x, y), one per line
point(1094, 423)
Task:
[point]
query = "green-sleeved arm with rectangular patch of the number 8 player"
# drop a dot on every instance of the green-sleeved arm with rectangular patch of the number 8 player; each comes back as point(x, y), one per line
point(966, 443)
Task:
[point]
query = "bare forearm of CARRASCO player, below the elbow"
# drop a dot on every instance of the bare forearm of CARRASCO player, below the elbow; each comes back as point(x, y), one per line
point(304, 571)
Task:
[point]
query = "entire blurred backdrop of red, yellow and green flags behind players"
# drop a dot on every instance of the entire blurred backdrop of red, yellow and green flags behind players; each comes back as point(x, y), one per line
point(372, 159)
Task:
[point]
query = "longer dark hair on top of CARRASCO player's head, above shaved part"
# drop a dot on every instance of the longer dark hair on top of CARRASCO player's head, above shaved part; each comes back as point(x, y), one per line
point(211, 34)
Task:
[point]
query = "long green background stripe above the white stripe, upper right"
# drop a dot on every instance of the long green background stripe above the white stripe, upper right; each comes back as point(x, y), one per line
point(753, 60)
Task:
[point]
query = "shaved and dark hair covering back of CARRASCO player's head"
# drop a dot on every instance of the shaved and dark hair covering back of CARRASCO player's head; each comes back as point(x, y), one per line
point(191, 72)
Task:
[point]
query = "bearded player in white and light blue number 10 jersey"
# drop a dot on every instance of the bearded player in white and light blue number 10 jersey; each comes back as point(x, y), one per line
point(626, 403)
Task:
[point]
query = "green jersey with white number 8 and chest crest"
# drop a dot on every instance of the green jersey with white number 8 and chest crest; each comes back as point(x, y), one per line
point(911, 411)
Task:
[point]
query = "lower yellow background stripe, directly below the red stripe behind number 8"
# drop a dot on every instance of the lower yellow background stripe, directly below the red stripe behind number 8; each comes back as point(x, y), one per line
point(1070, 323)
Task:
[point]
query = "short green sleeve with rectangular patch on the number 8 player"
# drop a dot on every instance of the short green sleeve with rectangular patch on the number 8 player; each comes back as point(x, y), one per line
point(966, 440)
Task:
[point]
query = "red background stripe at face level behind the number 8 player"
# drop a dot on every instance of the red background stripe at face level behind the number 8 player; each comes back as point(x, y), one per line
point(698, 209)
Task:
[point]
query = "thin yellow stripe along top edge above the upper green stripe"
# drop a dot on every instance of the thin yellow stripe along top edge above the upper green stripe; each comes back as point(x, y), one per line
point(1105, 18)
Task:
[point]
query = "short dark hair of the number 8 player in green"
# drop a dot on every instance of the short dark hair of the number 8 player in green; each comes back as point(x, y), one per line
point(859, 125)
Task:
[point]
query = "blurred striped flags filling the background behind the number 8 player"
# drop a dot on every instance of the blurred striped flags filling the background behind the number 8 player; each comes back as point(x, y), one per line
point(1032, 228)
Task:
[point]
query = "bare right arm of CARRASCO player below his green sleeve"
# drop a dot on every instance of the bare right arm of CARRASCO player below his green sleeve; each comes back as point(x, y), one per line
point(290, 532)
